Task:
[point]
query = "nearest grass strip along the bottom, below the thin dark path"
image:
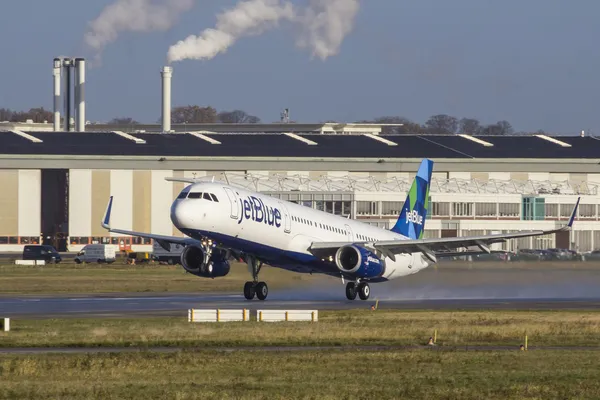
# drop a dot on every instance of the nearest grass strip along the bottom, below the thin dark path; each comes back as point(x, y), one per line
point(418, 374)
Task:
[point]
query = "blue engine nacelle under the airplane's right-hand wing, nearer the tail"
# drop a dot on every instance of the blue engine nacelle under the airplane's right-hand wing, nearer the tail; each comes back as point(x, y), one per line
point(359, 262)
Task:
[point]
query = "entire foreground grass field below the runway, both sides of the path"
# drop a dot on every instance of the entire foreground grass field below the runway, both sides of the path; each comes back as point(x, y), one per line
point(198, 371)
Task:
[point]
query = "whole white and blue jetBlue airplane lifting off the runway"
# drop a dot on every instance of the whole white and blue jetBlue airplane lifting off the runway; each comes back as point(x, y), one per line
point(223, 221)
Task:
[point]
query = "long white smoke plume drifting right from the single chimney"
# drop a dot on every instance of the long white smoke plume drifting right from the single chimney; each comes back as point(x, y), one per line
point(324, 24)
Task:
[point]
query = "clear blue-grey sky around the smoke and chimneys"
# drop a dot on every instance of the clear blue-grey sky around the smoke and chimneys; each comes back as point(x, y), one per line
point(531, 62)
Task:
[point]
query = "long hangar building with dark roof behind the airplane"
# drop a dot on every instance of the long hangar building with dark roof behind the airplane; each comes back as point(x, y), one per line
point(56, 184)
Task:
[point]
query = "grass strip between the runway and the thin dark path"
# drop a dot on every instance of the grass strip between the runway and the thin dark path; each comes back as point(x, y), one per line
point(335, 328)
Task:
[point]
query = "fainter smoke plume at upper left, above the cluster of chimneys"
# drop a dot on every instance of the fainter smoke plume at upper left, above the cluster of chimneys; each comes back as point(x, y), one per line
point(133, 16)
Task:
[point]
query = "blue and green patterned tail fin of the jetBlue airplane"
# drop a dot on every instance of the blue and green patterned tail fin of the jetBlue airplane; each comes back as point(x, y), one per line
point(411, 222)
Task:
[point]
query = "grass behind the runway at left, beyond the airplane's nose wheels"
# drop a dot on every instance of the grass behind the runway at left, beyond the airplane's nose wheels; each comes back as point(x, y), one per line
point(93, 279)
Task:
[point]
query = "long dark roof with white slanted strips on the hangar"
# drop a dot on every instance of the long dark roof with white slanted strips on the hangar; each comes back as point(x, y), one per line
point(310, 145)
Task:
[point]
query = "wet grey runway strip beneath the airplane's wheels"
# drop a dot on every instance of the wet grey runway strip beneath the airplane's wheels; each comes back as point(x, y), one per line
point(178, 304)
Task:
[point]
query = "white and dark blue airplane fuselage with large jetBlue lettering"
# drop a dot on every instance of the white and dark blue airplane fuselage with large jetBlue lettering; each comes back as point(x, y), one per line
point(278, 231)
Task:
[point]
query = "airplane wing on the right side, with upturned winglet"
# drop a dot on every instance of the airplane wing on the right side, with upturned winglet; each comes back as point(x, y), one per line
point(437, 247)
